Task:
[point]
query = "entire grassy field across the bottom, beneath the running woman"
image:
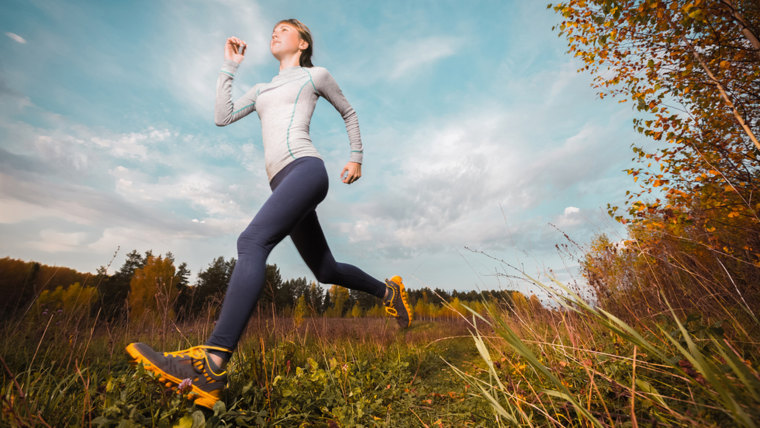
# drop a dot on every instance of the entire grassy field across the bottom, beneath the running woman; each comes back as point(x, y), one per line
point(527, 366)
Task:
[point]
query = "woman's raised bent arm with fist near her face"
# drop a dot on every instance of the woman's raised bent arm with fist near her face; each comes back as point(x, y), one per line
point(225, 110)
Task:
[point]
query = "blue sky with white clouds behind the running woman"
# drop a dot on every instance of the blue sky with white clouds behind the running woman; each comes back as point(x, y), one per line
point(483, 145)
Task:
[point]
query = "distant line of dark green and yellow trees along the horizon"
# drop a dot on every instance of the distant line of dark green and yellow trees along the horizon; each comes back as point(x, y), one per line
point(151, 286)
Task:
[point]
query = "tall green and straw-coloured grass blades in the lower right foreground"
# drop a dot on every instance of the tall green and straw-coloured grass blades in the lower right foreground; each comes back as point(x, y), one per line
point(583, 366)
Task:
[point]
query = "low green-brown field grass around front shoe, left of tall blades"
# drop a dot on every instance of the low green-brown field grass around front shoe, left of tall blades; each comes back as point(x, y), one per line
point(327, 371)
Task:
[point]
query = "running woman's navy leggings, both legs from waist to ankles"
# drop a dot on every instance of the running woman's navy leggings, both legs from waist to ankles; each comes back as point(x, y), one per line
point(290, 210)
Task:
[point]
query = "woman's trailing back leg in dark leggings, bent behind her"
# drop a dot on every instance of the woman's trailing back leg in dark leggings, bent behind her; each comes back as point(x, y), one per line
point(312, 245)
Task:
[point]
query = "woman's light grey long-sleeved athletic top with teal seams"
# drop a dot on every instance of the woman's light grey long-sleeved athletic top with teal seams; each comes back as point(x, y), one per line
point(285, 106)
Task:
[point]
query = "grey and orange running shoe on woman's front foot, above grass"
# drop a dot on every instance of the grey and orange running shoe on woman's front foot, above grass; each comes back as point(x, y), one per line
point(173, 368)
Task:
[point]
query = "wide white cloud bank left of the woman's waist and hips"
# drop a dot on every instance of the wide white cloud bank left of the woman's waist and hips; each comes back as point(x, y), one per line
point(91, 178)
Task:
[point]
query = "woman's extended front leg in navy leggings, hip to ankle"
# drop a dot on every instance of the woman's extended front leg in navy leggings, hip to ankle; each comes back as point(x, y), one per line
point(297, 190)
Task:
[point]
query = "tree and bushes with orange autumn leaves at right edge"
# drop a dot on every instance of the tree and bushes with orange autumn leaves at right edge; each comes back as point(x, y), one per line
point(692, 71)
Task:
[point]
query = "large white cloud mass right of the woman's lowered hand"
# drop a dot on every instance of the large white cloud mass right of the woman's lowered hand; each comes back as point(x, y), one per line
point(490, 177)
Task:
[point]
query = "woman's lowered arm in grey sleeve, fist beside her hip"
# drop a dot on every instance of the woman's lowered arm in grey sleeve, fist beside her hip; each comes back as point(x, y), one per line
point(328, 88)
